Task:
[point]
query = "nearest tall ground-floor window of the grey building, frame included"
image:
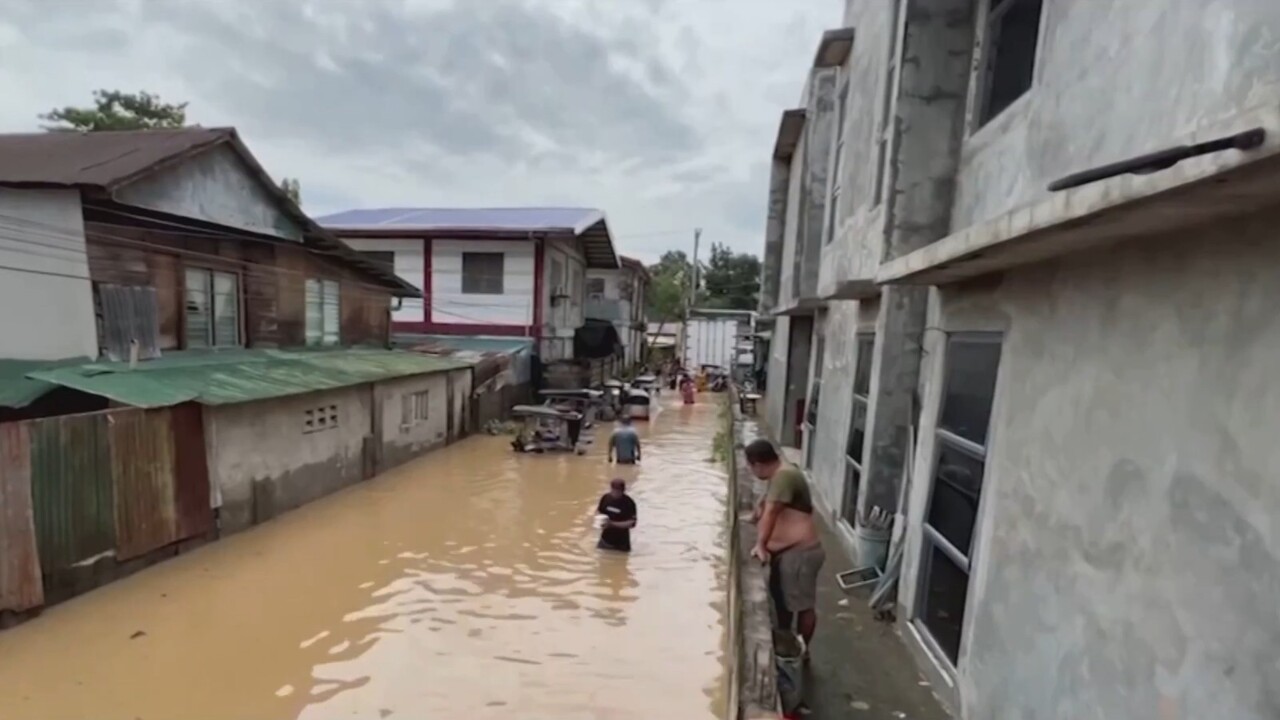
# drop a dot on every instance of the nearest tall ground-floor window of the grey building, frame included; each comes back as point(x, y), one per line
point(959, 466)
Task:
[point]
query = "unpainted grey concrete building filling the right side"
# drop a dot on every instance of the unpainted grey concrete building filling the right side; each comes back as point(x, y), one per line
point(1058, 384)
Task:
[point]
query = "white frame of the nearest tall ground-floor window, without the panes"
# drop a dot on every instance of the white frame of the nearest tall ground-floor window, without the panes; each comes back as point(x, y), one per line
point(932, 539)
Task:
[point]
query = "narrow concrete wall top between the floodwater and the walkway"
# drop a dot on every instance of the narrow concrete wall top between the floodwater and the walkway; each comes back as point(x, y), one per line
point(755, 681)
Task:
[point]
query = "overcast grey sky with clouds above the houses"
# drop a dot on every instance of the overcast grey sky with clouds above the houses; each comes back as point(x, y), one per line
point(662, 113)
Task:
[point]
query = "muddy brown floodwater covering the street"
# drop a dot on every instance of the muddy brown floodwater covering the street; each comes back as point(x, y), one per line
point(464, 585)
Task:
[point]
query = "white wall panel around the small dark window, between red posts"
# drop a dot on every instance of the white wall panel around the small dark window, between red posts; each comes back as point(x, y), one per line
point(515, 307)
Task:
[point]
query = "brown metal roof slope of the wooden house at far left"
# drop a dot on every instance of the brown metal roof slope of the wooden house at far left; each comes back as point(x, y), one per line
point(97, 160)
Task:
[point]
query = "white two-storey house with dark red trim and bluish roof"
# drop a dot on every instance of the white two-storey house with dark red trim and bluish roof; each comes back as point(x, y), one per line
point(488, 272)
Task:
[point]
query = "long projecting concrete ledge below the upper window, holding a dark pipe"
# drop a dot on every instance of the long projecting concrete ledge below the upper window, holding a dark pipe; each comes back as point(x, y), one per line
point(1195, 192)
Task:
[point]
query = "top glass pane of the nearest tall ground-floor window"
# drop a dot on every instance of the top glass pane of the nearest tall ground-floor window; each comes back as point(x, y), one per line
point(971, 386)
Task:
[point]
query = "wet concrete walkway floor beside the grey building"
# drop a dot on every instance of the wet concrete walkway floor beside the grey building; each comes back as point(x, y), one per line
point(861, 669)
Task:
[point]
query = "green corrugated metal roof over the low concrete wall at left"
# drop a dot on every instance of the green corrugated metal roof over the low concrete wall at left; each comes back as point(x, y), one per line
point(240, 376)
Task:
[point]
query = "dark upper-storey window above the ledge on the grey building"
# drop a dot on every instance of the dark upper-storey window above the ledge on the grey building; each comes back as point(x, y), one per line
point(1009, 43)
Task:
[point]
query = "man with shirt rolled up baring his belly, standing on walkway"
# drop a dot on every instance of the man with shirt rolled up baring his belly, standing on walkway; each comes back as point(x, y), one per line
point(788, 540)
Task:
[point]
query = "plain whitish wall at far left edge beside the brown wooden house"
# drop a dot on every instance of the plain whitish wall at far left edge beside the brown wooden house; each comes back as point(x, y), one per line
point(47, 302)
